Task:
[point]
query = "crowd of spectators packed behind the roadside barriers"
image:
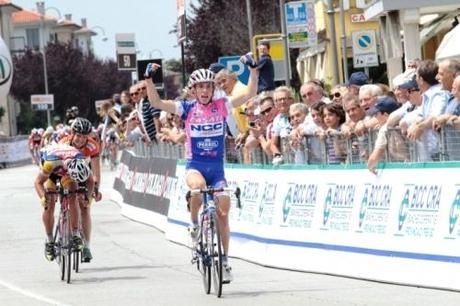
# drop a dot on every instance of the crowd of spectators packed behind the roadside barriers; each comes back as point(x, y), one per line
point(356, 122)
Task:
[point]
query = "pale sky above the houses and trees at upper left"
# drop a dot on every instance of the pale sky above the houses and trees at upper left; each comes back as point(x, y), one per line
point(150, 20)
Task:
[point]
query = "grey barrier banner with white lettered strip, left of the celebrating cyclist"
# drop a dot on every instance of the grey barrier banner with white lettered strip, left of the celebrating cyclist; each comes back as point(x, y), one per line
point(146, 183)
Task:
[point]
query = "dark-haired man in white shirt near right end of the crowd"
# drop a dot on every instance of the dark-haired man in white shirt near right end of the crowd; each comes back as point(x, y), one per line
point(434, 102)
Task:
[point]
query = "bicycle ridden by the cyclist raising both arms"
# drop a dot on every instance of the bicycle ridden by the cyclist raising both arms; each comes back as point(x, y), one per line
point(208, 251)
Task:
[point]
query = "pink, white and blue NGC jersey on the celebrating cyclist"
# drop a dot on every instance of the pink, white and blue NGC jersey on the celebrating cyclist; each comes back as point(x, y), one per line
point(205, 127)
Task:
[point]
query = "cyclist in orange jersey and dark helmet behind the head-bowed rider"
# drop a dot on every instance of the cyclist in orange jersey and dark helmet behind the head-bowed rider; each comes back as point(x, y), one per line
point(80, 139)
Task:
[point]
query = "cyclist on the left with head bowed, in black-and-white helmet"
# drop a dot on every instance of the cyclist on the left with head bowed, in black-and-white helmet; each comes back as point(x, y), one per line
point(69, 165)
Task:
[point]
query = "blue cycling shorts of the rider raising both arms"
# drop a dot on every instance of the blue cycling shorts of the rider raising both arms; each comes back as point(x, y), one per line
point(213, 173)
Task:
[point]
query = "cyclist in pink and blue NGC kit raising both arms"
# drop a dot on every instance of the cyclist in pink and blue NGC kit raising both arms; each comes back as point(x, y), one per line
point(205, 127)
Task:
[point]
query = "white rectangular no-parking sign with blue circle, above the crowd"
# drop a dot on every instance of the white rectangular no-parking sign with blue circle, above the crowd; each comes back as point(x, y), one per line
point(364, 49)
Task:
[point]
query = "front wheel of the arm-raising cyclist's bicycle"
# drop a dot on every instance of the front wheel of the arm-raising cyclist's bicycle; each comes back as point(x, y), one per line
point(216, 255)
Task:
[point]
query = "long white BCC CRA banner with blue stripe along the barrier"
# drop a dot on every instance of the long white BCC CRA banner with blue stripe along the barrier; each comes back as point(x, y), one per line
point(401, 226)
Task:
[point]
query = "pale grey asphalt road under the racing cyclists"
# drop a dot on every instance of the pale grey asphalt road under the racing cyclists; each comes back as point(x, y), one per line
point(135, 265)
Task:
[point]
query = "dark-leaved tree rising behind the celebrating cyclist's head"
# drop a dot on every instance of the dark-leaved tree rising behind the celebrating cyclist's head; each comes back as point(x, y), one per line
point(219, 28)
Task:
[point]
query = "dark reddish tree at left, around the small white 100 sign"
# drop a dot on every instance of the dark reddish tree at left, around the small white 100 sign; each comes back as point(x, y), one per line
point(73, 79)
